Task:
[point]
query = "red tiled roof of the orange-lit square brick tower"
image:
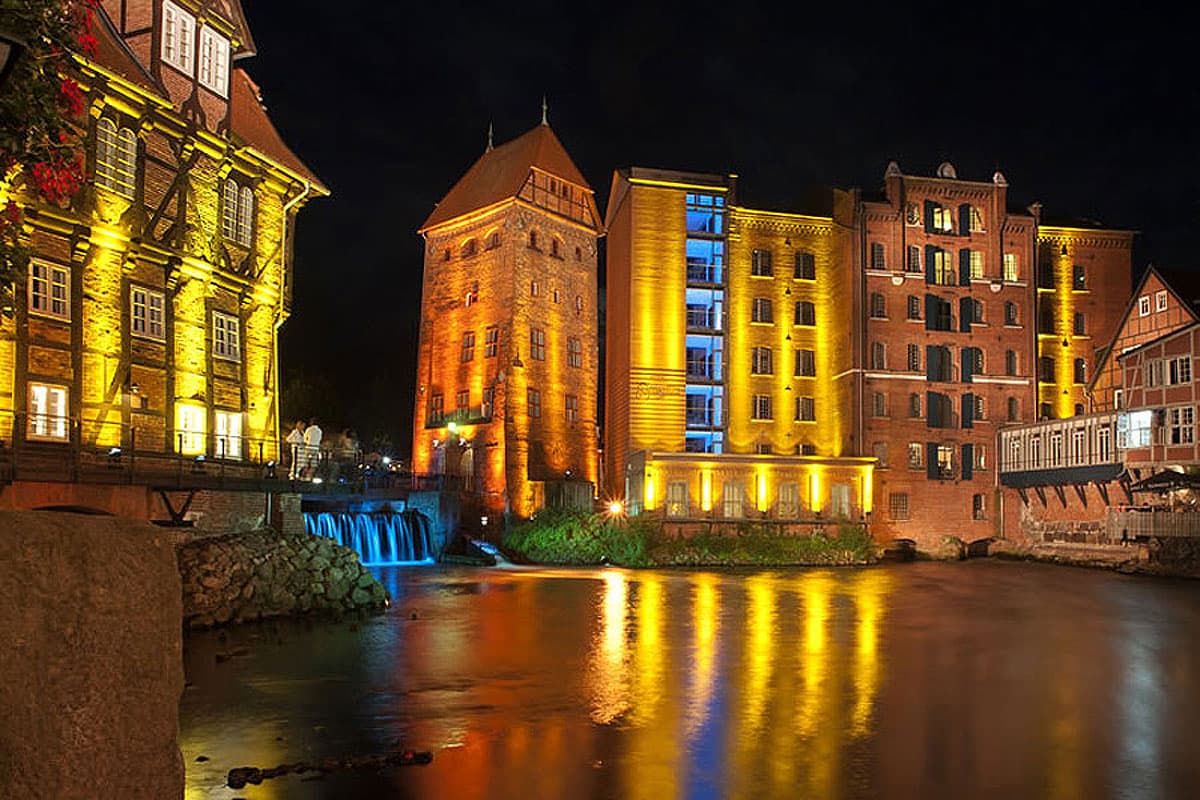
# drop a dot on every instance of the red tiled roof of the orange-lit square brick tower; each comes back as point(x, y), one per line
point(502, 172)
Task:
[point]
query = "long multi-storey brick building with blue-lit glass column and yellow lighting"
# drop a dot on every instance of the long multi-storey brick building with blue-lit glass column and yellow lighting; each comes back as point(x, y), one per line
point(854, 362)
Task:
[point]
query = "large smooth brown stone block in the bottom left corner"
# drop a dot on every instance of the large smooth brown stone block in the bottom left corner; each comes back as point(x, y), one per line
point(92, 659)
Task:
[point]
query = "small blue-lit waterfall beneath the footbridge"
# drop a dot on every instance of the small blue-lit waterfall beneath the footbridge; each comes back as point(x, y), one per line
point(377, 538)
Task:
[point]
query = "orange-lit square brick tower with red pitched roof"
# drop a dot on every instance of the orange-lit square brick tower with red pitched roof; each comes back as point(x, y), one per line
point(508, 356)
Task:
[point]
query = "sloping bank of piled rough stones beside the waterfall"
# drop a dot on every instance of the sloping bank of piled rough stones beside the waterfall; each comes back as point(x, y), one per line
point(260, 575)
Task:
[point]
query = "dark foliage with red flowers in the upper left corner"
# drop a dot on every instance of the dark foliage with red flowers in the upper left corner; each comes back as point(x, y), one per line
point(41, 115)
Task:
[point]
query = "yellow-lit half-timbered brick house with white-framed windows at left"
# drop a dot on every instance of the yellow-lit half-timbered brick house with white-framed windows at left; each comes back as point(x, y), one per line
point(152, 309)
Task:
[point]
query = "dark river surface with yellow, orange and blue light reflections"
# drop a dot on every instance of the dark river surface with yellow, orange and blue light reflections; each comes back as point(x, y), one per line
point(973, 681)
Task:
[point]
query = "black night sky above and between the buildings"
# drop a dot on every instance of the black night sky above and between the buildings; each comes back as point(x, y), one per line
point(1090, 113)
